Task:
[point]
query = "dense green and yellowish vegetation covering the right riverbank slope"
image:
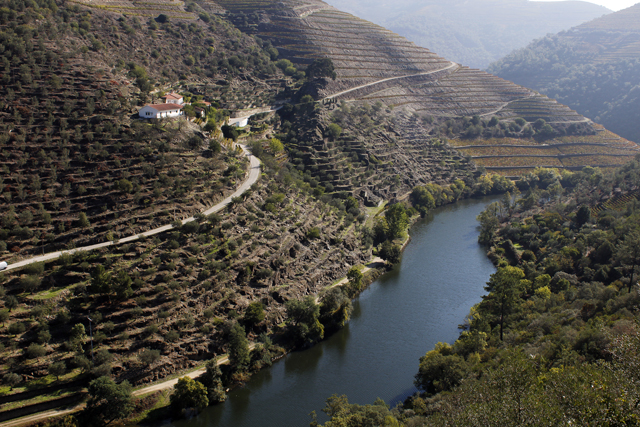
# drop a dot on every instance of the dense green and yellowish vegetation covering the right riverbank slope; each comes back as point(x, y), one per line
point(556, 338)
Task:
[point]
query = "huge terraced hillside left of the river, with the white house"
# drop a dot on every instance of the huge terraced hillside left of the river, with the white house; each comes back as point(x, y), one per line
point(79, 167)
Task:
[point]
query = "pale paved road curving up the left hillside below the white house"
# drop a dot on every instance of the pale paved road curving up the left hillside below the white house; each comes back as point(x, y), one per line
point(254, 174)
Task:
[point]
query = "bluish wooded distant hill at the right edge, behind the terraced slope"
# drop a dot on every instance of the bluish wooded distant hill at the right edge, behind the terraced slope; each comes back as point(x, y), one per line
point(594, 68)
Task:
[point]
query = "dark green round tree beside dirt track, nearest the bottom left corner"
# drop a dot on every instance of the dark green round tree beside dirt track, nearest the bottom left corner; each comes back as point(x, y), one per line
point(108, 401)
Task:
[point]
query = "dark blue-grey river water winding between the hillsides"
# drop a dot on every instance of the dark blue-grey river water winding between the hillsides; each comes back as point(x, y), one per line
point(396, 320)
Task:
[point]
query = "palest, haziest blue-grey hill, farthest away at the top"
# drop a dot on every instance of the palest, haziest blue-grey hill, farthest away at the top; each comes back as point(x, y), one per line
point(473, 33)
